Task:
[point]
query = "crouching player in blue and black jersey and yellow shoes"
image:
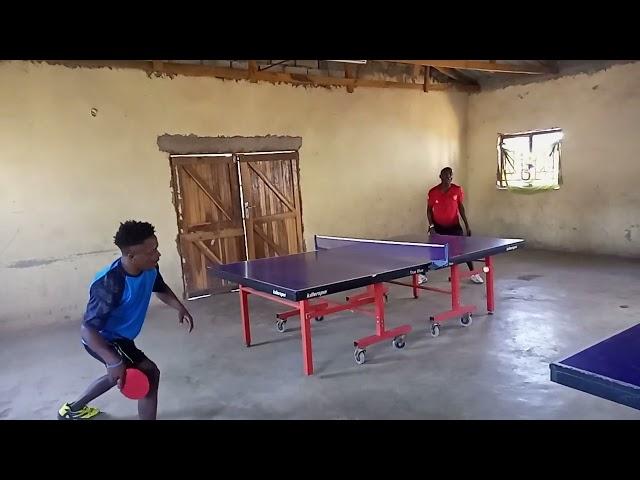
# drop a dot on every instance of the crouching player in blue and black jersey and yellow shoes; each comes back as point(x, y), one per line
point(118, 302)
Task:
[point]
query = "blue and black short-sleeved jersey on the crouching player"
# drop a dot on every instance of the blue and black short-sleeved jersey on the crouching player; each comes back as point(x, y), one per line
point(118, 302)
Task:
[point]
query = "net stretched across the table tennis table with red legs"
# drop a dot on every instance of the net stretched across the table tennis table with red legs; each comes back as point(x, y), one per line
point(437, 253)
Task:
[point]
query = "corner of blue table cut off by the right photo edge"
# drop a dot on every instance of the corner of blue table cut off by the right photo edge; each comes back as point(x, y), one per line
point(609, 369)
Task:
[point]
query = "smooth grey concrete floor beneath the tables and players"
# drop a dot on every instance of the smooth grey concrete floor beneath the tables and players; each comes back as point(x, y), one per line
point(548, 305)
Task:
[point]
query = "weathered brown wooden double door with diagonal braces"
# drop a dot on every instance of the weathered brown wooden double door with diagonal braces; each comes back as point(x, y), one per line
point(234, 207)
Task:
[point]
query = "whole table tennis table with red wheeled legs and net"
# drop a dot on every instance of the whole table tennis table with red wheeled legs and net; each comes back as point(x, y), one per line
point(339, 264)
